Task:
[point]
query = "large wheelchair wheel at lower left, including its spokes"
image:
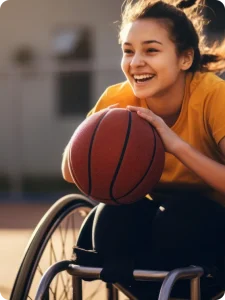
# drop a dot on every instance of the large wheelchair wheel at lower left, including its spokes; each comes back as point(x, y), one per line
point(52, 241)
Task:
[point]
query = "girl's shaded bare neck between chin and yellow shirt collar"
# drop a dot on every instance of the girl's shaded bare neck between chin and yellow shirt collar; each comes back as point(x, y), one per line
point(168, 104)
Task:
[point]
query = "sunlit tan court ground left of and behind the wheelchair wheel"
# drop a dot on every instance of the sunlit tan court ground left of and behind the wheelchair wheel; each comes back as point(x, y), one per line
point(17, 222)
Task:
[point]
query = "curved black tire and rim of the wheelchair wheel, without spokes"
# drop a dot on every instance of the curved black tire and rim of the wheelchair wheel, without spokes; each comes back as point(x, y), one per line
point(39, 239)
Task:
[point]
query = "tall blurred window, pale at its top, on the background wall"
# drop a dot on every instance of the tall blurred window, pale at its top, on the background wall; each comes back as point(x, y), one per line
point(72, 48)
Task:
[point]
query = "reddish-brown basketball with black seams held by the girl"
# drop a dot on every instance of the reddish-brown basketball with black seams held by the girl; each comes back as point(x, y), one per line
point(115, 156)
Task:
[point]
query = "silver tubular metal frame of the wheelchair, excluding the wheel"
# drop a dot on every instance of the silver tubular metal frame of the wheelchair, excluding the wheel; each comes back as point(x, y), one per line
point(169, 279)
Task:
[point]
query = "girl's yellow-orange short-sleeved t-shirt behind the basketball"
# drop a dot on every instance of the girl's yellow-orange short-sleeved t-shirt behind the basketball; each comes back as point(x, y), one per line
point(201, 123)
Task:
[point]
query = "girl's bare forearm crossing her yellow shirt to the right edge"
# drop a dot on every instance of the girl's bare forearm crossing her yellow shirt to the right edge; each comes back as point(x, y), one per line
point(212, 172)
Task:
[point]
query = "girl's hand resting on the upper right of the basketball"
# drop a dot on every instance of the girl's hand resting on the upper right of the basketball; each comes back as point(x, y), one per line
point(170, 139)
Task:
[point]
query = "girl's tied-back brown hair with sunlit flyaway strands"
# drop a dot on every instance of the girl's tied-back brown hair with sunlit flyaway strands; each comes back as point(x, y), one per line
point(185, 21)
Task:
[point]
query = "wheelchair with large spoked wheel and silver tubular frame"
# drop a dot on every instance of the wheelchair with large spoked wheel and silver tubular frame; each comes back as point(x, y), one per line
point(48, 271)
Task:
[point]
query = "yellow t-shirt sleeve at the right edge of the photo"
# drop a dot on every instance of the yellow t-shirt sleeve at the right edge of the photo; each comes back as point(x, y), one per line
point(215, 112)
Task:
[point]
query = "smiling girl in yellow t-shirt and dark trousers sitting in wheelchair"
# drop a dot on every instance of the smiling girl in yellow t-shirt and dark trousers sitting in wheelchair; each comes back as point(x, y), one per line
point(171, 83)
